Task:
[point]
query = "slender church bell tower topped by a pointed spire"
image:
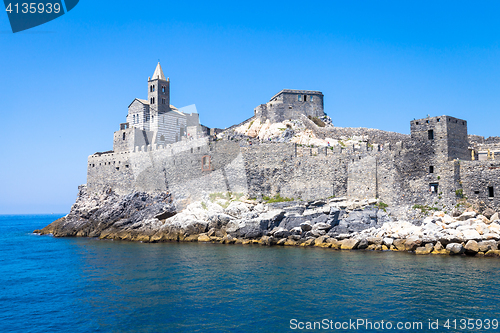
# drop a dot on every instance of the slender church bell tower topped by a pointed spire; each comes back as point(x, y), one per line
point(158, 92)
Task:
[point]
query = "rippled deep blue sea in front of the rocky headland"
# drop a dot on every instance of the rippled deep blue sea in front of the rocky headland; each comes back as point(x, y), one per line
point(88, 285)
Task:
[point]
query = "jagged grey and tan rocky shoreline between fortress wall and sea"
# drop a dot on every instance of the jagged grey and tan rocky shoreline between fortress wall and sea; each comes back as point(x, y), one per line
point(336, 223)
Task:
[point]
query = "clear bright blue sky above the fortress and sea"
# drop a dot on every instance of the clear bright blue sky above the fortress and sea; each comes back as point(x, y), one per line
point(65, 85)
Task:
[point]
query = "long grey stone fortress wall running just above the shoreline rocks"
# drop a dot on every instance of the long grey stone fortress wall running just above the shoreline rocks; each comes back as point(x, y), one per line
point(398, 174)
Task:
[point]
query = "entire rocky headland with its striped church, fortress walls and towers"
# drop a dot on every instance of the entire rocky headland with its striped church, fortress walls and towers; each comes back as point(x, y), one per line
point(170, 178)
